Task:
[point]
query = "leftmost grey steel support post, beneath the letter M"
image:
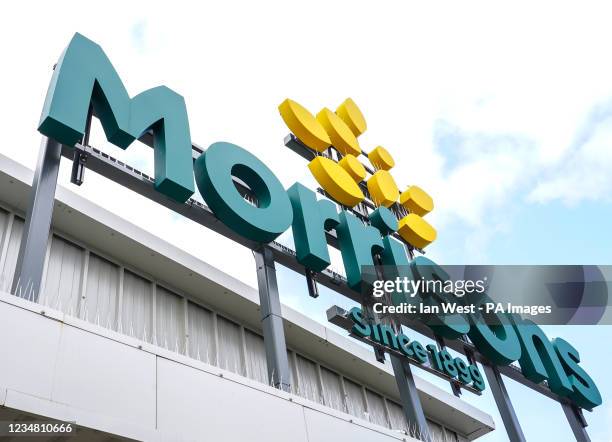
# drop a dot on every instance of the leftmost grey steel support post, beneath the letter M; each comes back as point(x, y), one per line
point(31, 258)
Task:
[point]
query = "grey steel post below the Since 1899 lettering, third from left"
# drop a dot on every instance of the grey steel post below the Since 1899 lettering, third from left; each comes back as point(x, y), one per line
point(409, 396)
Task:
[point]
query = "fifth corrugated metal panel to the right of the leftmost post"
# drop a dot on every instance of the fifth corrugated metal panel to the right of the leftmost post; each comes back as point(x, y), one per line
point(201, 333)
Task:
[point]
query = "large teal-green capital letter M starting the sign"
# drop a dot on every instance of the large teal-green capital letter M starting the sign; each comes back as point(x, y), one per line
point(85, 75)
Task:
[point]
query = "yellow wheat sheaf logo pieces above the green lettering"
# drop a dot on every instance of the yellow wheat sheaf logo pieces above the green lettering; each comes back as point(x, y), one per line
point(343, 180)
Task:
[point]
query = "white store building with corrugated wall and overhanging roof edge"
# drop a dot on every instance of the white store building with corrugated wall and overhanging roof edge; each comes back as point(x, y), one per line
point(132, 338)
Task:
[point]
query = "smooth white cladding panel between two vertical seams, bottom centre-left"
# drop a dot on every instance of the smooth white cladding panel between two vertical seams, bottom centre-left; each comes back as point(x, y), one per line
point(195, 406)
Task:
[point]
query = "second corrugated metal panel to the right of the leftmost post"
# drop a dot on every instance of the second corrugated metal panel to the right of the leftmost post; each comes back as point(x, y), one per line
point(101, 292)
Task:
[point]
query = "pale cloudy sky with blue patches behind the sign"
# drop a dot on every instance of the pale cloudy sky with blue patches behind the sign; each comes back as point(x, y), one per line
point(503, 114)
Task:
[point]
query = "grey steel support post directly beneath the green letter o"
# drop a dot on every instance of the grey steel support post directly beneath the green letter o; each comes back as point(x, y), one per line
point(272, 320)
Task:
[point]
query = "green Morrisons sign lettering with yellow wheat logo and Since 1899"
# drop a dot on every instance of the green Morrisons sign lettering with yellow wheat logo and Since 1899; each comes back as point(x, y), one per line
point(85, 77)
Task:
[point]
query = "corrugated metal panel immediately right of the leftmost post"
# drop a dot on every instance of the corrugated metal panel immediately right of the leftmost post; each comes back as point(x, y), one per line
point(62, 286)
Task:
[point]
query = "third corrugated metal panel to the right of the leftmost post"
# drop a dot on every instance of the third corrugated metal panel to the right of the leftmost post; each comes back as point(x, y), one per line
point(137, 307)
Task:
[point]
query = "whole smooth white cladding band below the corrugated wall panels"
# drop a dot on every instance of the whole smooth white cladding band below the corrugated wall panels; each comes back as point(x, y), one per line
point(64, 371)
